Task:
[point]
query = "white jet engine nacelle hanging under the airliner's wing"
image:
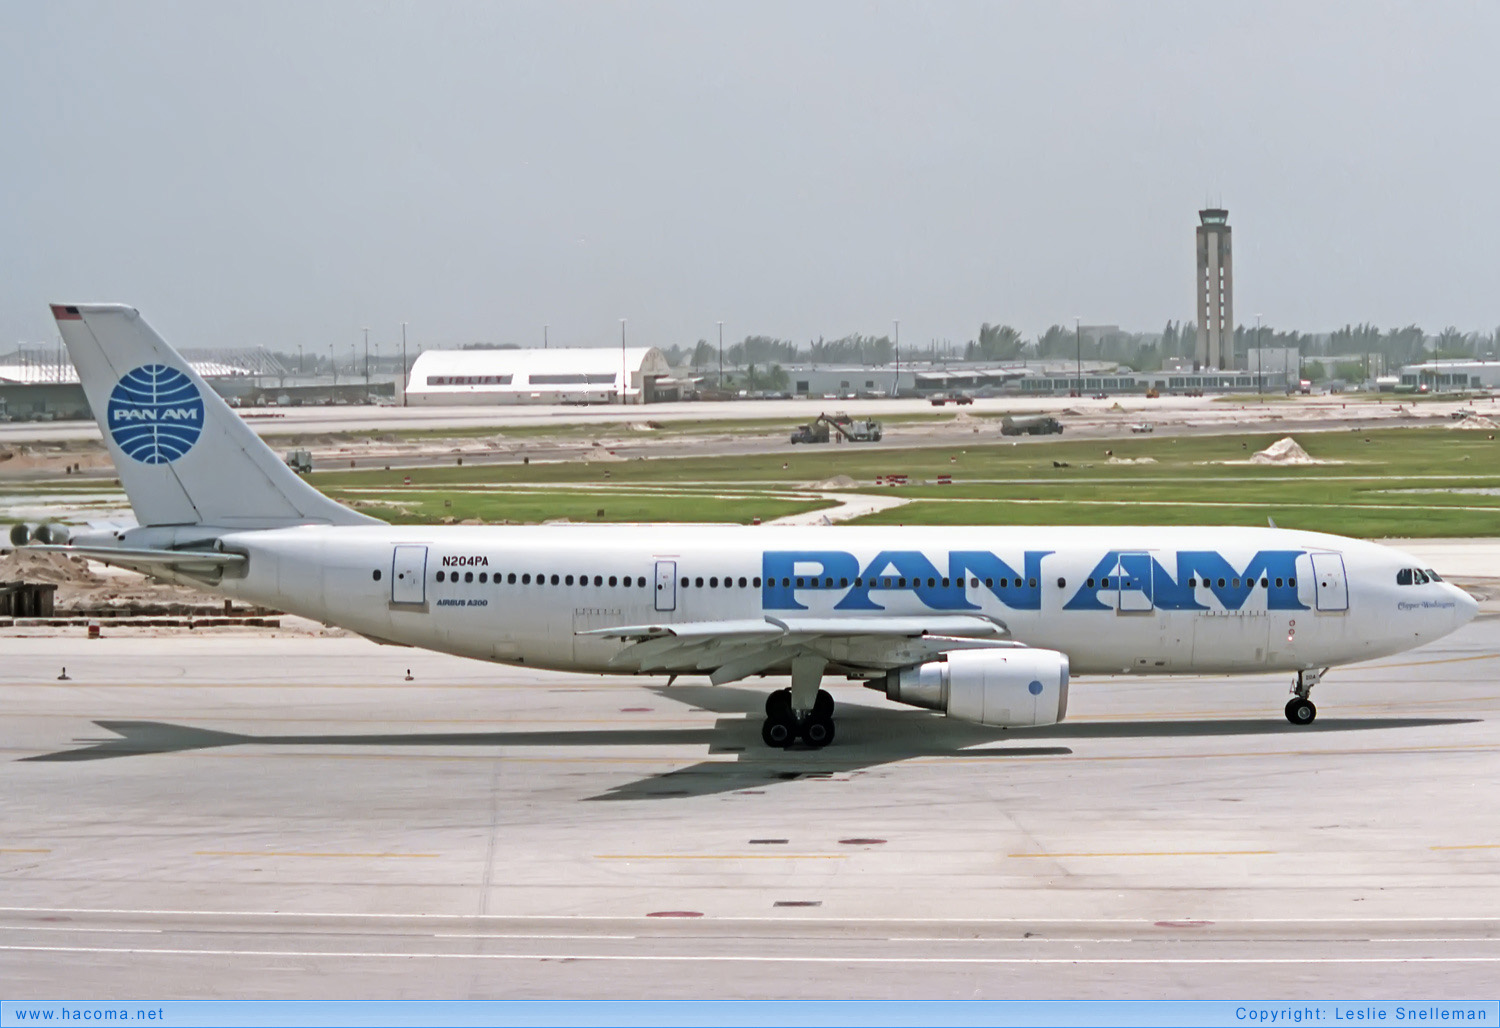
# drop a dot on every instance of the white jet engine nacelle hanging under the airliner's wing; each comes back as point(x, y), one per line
point(1003, 688)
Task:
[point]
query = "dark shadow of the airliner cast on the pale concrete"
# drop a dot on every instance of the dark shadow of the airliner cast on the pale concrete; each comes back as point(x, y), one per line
point(868, 738)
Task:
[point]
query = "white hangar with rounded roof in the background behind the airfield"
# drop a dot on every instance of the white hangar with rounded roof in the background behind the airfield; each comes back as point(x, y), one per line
point(560, 376)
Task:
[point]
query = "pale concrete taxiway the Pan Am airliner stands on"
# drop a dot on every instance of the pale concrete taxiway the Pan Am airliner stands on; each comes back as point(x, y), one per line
point(239, 816)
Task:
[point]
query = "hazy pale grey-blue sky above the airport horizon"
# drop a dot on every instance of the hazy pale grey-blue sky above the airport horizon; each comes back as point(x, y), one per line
point(289, 173)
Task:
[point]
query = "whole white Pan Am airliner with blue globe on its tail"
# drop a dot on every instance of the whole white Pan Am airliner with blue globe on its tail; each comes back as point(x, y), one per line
point(985, 624)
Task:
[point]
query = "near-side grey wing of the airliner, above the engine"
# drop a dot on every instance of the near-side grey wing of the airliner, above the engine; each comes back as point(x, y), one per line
point(737, 649)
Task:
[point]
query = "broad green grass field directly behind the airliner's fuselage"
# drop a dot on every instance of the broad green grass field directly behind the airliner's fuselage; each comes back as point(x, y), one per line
point(1003, 482)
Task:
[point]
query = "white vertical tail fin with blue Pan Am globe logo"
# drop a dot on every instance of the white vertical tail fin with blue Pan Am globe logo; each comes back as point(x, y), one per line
point(184, 457)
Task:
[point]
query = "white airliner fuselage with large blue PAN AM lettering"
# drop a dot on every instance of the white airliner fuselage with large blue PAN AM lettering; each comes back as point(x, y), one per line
point(1115, 601)
